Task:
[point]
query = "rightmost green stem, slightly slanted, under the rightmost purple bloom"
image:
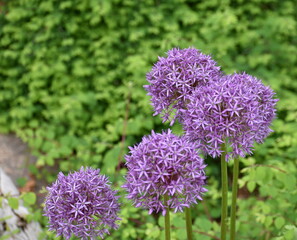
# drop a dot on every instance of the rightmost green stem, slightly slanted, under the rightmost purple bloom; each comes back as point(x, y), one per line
point(234, 198)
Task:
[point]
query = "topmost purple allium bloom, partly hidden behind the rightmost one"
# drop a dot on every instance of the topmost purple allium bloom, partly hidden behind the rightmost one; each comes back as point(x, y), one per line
point(173, 78)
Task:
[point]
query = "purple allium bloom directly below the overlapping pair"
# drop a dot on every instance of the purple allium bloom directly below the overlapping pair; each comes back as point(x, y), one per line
point(164, 164)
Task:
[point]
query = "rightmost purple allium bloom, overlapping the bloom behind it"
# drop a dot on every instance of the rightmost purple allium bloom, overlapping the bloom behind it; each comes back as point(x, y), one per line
point(237, 110)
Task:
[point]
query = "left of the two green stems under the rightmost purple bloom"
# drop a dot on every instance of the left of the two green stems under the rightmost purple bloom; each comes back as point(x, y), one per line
point(224, 206)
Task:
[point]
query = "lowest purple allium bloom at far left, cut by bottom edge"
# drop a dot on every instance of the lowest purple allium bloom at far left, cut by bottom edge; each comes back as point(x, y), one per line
point(81, 204)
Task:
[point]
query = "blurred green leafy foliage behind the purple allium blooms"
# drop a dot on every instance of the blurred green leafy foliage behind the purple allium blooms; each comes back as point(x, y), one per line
point(71, 87)
